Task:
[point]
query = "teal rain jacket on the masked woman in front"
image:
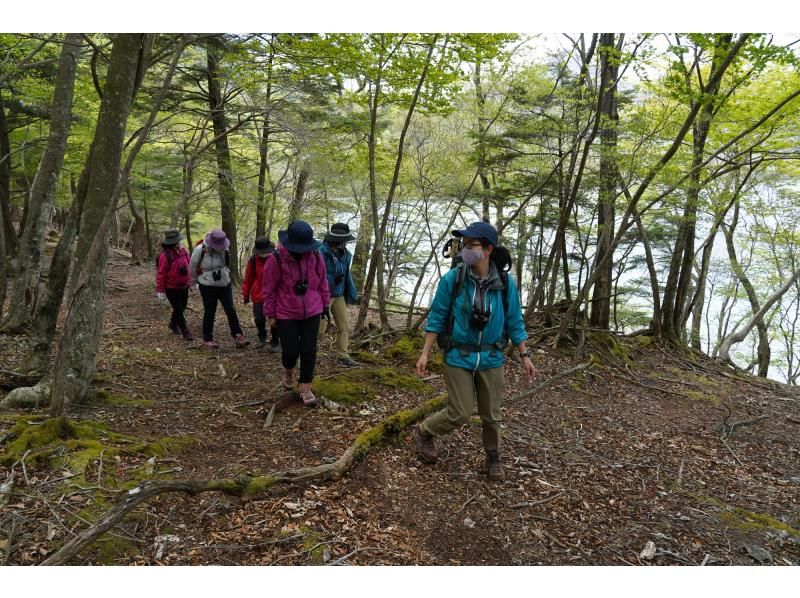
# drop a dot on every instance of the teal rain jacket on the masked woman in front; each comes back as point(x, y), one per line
point(513, 324)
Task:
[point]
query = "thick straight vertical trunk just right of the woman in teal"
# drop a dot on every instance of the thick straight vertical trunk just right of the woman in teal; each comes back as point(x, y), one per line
point(609, 69)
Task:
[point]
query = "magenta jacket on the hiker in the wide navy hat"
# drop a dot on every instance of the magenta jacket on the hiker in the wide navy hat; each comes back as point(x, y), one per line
point(278, 286)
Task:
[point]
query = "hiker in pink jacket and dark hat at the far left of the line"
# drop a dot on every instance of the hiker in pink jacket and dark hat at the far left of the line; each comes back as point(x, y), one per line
point(172, 280)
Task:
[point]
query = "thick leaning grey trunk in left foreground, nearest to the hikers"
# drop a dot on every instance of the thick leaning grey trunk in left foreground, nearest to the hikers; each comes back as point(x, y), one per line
point(80, 340)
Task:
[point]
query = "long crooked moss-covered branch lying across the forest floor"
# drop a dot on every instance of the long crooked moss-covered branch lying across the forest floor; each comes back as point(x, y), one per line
point(244, 485)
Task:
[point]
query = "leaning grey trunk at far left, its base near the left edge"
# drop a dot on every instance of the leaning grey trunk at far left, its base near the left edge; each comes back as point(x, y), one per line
point(27, 272)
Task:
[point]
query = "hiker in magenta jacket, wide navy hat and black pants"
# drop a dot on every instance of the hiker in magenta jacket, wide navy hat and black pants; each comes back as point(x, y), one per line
point(294, 289)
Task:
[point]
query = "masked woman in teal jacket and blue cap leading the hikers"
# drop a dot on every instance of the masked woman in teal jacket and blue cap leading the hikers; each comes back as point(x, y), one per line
point(482, 322)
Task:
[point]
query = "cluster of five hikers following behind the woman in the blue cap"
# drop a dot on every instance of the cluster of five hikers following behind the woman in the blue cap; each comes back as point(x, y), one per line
point(294, 287)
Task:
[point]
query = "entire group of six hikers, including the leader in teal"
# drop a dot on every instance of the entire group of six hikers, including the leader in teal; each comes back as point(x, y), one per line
point(296, 286)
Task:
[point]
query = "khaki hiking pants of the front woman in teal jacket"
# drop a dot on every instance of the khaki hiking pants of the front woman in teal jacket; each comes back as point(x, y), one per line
point(464, 388)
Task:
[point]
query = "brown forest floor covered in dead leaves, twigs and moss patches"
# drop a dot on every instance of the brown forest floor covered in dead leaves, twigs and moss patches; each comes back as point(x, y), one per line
point(641, 447)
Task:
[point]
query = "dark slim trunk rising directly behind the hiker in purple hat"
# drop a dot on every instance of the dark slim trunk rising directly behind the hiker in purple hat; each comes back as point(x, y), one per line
point(227, 191)
